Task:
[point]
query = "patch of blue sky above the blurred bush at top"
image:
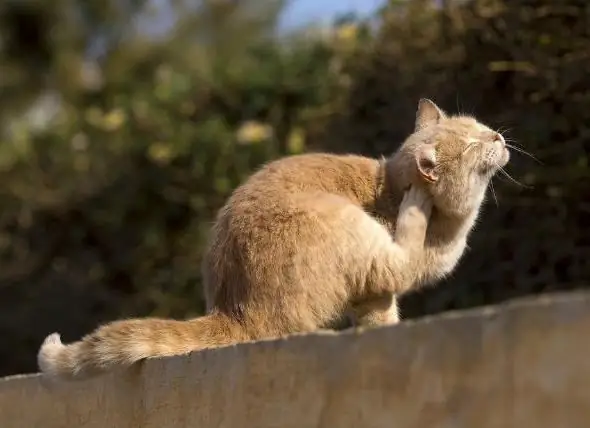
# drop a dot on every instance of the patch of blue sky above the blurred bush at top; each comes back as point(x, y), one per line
point(305, 11)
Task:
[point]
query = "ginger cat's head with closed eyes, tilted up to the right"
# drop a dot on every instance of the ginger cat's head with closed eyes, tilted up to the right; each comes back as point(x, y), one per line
point(455, 157)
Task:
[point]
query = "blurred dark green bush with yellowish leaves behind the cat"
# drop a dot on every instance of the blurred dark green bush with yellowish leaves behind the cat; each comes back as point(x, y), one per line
point(117, 147)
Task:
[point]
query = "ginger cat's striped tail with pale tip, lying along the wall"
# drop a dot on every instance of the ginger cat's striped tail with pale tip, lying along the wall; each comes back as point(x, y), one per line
point(122, 343)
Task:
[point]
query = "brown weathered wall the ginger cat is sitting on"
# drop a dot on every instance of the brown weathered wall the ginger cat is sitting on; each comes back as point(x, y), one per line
point(525, 364)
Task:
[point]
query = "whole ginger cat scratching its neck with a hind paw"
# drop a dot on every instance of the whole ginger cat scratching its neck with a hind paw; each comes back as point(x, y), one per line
point(311, 238)
